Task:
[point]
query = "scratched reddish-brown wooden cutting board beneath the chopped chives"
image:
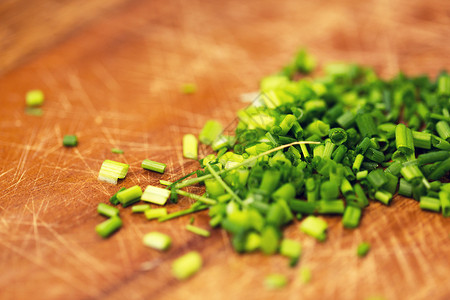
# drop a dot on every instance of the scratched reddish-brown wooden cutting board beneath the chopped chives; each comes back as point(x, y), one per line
point(111, 72)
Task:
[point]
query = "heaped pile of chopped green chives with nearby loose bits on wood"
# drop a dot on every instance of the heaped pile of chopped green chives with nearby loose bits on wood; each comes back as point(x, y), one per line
point(307, 147)
